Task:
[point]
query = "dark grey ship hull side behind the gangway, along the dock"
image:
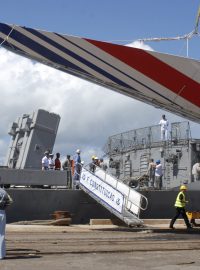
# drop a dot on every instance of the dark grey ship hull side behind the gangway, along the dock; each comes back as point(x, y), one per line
point(38, 204)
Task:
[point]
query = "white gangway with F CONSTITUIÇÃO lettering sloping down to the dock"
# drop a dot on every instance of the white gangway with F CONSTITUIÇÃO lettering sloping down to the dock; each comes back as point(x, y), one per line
point(121, 200)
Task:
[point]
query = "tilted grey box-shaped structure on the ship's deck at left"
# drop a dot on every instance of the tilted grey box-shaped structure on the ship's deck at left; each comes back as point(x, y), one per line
point(31, 135)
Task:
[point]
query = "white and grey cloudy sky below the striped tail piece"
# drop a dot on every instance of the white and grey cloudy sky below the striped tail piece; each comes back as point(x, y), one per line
point(89, 113)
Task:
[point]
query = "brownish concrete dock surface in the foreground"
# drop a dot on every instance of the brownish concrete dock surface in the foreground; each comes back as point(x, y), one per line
point(153, 246)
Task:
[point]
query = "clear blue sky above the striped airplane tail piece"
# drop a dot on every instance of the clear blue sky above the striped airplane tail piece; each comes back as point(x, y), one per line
point(110, 19)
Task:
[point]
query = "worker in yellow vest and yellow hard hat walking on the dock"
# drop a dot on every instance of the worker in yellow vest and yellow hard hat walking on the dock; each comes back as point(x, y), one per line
point(180, 208)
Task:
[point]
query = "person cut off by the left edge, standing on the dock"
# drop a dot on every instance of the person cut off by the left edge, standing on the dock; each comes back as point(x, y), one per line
point(5, 200)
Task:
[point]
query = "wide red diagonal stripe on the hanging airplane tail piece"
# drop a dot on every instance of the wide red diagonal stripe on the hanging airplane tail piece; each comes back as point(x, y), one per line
point(155, 69)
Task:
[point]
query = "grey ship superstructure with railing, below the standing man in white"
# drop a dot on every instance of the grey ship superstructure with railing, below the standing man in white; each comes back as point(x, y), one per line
point(131, 151)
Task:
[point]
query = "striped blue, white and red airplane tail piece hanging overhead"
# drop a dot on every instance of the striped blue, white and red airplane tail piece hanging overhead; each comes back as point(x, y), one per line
point(165, 81)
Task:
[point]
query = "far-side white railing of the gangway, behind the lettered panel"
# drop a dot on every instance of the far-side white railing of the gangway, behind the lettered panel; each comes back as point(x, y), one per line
point(127, 198)
